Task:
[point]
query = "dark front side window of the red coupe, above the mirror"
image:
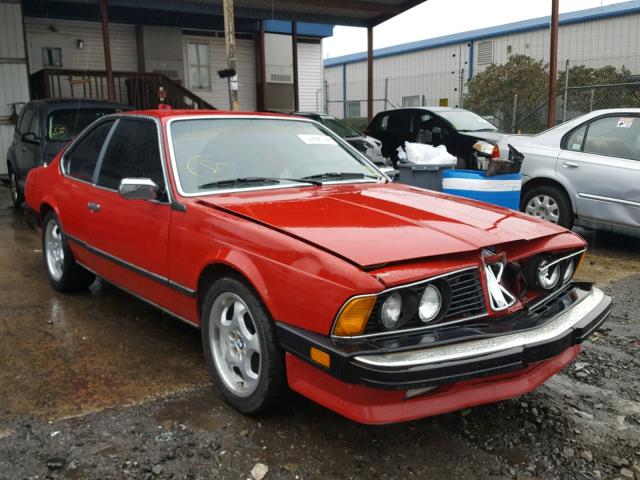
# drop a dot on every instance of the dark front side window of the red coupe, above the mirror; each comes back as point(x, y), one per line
point(132, 153)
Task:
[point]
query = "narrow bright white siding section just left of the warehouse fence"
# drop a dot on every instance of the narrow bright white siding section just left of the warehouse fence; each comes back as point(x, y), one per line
point(310, 91)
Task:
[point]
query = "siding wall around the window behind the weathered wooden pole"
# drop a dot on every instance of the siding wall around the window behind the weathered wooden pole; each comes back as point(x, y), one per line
point(218, 95)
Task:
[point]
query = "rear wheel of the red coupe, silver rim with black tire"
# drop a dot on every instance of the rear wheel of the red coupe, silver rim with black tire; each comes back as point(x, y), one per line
point(65, 275)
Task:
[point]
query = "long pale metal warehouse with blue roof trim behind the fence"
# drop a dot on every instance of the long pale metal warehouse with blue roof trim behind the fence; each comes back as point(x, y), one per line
point(435, 71)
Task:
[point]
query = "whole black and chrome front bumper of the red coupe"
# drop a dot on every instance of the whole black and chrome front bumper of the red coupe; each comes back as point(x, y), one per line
point(479, 349)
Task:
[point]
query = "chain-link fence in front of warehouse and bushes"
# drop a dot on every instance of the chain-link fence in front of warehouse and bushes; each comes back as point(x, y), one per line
point(513, 95)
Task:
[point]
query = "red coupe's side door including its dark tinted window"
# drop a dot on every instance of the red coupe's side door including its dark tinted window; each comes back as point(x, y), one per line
point(130, 235)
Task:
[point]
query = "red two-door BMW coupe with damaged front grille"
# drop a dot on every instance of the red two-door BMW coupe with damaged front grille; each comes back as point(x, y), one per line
point(303, 266)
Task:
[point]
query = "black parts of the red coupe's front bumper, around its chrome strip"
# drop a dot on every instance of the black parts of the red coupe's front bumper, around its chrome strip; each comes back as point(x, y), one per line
point(344, 367)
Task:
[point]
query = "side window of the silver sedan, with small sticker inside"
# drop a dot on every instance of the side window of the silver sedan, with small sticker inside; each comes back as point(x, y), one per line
point(614, 137)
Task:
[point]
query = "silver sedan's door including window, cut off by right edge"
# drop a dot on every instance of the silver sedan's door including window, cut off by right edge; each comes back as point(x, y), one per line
point(601, 161)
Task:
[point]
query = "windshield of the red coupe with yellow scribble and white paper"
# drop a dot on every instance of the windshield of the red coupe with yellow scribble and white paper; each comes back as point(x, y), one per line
point(231, 153)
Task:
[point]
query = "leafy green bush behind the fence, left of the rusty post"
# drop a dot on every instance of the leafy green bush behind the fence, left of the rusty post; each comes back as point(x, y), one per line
point(492, 91)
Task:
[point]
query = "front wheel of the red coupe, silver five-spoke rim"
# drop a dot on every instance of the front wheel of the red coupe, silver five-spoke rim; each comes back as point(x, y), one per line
point(241, 348)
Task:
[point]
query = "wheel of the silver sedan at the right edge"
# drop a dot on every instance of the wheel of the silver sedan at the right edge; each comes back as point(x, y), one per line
point(549, 203)
